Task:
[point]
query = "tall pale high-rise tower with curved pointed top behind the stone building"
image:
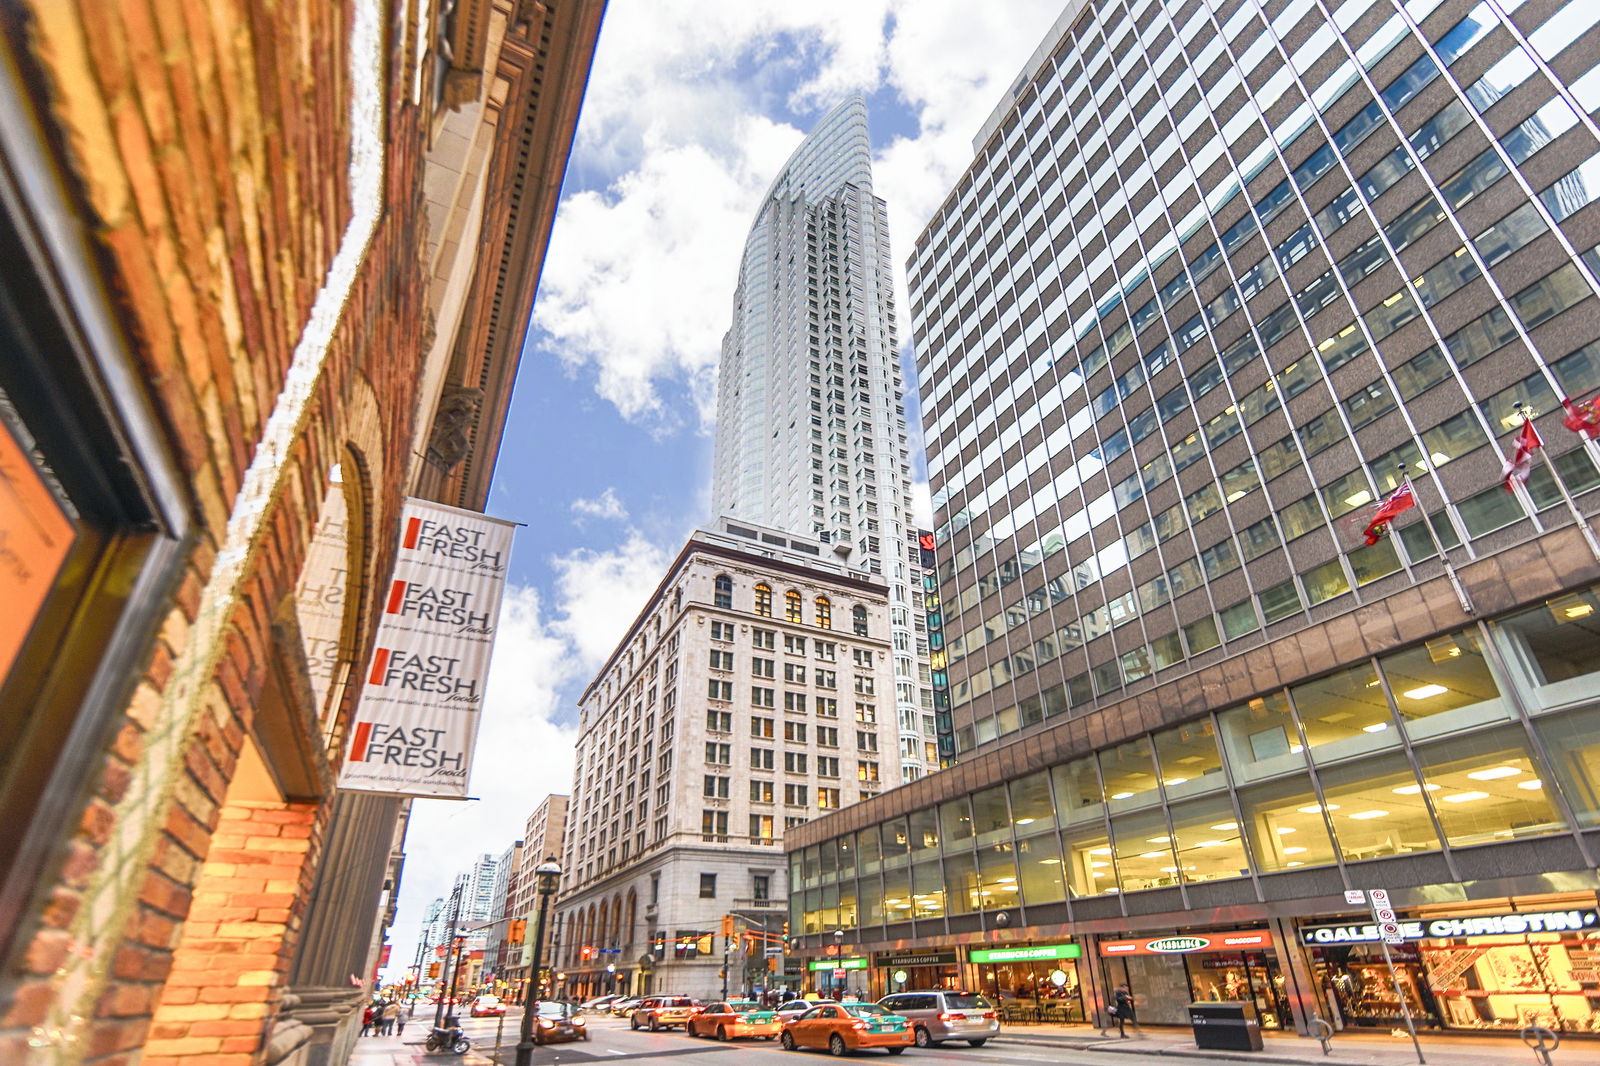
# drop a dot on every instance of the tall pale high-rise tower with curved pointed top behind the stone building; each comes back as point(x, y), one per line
point(810, 412)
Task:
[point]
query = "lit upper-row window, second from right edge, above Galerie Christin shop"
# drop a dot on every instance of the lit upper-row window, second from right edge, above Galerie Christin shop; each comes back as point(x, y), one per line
point(1444, 686)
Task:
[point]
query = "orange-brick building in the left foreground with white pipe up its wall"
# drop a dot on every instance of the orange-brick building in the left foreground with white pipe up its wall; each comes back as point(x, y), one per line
point(230, 332)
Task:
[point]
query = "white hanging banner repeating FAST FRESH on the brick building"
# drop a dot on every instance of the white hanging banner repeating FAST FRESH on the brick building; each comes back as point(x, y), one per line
point(418, 719)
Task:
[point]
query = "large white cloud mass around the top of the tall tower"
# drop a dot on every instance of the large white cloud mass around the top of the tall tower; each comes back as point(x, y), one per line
point(679, 142)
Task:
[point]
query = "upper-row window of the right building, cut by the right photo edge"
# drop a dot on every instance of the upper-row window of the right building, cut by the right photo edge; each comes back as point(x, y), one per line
point(1554, 649)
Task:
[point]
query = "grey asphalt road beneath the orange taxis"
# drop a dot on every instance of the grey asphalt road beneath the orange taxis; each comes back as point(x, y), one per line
point(614, 1043)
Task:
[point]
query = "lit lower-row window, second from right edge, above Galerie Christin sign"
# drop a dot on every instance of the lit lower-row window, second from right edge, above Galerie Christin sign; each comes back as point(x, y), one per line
point(1487, 787)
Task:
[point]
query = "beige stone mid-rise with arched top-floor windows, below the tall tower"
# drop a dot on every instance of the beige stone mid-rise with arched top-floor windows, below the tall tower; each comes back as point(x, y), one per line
point(751, 694)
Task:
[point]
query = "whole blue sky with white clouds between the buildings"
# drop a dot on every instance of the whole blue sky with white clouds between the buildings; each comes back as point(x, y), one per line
point(692, 110)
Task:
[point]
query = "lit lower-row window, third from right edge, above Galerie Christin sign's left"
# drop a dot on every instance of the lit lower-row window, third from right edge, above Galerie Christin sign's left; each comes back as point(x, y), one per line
point(1377, 809)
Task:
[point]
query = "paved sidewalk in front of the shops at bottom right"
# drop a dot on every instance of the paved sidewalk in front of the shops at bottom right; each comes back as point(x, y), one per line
point(1348, 1049)
